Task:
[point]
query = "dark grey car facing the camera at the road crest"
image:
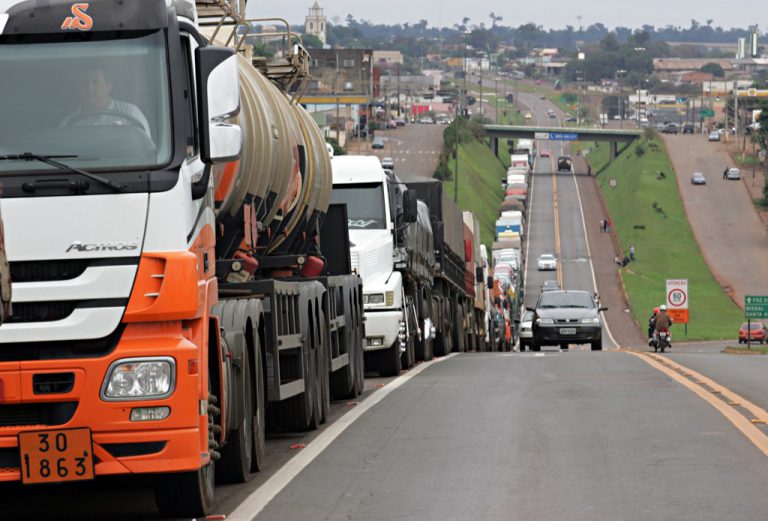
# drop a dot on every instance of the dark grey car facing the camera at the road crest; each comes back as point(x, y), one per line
point(567, 317)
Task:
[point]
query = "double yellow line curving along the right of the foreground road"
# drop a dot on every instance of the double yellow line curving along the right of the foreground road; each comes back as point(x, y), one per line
point(698, 384)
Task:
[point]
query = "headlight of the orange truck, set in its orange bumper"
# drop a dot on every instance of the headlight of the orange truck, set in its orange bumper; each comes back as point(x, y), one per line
point(139, 379)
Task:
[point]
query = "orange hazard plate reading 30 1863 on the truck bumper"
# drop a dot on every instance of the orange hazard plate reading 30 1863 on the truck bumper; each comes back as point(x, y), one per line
point(56, 455)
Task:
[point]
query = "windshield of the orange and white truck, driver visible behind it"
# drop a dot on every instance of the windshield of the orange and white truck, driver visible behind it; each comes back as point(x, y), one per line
point(105, 101)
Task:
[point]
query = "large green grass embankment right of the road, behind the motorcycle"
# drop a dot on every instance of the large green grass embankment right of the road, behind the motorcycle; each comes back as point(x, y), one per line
point(647, 212)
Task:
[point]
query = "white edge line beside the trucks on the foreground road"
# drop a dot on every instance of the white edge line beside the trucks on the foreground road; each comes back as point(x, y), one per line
point(252, 506)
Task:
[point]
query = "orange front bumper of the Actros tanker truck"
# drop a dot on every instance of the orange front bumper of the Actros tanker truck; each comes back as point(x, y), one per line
point(120, 445)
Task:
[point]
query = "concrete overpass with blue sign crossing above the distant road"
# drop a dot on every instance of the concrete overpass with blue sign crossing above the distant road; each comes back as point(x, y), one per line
point(614, 137)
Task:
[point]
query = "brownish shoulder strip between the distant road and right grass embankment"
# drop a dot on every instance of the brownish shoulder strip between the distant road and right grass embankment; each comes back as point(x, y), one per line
point(604, 247)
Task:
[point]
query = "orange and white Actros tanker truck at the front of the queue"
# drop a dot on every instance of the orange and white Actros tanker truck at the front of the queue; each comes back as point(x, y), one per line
point(180, 280)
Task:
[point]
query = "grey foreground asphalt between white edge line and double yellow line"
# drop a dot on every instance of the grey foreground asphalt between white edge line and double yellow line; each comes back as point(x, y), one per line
point(547, 436)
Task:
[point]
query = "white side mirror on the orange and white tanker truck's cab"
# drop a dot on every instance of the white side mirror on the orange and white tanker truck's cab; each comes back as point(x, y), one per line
point(218, 86)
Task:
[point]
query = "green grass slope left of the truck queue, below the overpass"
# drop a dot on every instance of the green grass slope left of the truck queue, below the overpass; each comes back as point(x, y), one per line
point(480, 174)
